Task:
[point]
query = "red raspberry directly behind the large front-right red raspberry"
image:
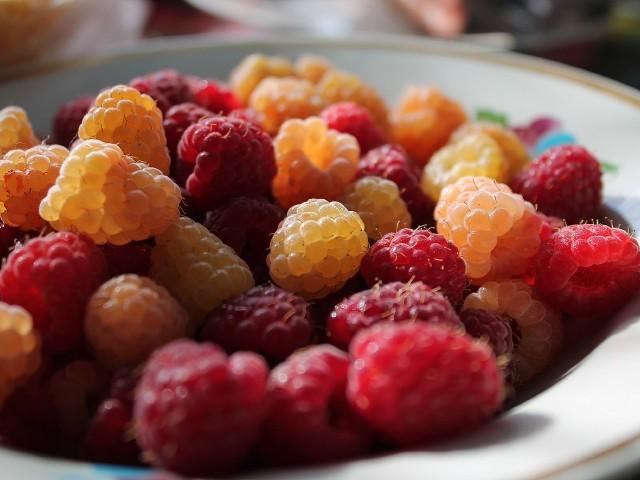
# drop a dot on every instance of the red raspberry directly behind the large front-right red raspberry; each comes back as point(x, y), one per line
point(393, 302)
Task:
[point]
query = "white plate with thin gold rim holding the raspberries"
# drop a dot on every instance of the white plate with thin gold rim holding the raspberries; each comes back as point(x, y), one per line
point(586, 423)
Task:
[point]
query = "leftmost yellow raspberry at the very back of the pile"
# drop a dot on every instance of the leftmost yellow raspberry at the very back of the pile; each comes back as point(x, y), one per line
point(255, 68)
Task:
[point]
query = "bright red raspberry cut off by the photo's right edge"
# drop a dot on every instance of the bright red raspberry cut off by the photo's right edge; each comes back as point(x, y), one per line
point(588, 270)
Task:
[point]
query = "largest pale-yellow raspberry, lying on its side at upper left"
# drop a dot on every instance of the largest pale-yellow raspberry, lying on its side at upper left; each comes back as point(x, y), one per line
point(105, 195)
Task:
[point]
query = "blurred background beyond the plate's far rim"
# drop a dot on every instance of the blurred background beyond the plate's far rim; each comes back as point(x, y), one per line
point(600, 35)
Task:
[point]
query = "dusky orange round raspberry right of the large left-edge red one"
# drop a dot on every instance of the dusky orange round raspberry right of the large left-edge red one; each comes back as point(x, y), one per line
point(130, 316)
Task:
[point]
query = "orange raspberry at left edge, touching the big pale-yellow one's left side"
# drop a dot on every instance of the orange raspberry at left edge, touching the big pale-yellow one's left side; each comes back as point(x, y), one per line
point(25, 178)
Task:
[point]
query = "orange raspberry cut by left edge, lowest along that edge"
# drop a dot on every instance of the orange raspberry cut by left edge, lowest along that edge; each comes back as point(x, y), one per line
point(19, 348)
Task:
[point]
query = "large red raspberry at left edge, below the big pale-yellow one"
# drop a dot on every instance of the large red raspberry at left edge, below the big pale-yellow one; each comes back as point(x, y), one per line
point(52, 278)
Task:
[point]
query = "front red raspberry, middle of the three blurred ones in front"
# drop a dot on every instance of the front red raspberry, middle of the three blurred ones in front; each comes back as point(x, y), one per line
point(310, 420)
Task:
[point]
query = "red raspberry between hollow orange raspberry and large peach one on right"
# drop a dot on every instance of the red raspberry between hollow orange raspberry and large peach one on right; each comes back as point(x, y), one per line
point(391, 162)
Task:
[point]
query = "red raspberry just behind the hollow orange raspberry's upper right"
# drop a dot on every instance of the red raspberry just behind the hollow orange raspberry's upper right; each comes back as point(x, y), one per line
point(351, 118)
